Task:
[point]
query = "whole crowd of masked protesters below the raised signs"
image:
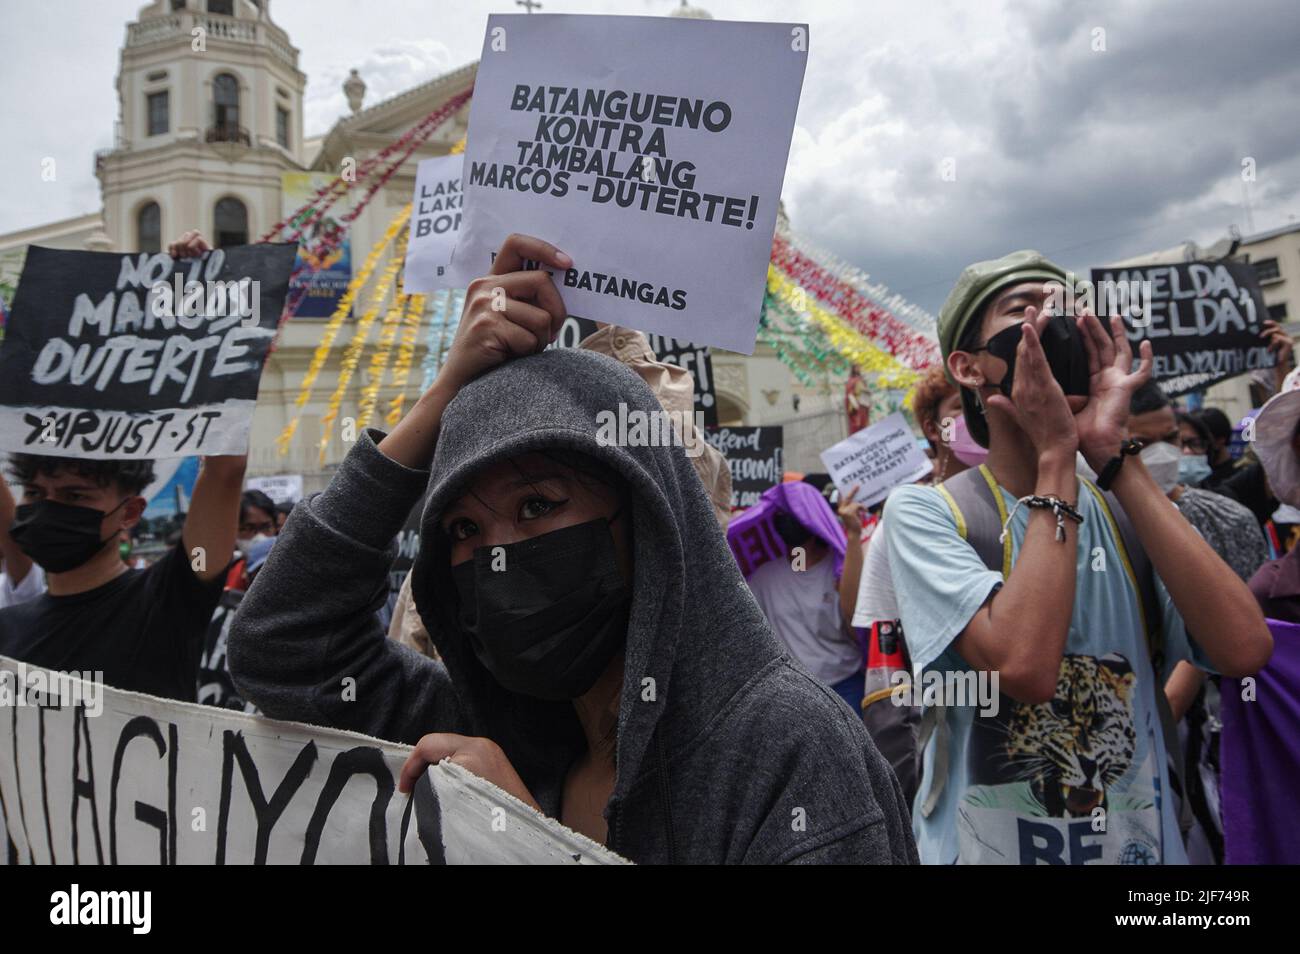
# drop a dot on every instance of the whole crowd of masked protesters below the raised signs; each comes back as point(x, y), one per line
point(593, 630)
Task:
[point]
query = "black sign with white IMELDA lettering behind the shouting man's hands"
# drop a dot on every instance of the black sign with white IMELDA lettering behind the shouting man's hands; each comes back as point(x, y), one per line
point(1204, 320)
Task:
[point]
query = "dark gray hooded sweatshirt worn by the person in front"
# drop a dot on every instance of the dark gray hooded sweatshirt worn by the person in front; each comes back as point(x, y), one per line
point(727, 749)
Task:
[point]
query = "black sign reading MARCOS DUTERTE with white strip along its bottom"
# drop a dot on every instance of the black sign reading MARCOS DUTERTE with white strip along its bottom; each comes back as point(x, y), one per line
point(138, 355)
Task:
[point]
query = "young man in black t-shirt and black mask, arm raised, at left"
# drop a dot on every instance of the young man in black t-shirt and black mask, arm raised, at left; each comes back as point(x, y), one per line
point(142, 628)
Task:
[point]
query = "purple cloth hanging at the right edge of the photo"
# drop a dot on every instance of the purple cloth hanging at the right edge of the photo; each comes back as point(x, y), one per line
point(1260, 752)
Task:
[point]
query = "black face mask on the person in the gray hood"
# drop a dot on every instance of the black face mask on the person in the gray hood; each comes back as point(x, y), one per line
point(551, 618)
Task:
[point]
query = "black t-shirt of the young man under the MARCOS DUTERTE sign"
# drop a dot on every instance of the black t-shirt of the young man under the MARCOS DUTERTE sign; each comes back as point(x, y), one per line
point(142, 630)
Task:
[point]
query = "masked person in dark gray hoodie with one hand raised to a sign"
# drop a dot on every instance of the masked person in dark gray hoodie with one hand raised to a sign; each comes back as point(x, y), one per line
point(603, 658)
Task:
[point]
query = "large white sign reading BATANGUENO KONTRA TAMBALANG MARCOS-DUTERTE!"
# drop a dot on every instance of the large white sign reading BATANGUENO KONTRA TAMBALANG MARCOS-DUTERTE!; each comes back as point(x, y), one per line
point(651, 150)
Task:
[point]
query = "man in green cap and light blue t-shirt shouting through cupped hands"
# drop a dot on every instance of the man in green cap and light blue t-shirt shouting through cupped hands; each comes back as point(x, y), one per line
point(1020, 573)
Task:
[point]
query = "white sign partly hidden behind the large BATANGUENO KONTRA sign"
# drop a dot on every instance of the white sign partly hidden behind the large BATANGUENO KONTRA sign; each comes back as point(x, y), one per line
point(435, 224)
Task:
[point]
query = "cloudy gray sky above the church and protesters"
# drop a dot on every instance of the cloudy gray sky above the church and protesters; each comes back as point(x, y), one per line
point(1090, 155)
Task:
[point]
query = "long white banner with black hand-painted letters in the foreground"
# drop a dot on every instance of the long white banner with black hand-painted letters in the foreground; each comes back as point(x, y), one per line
point(106, 777)
